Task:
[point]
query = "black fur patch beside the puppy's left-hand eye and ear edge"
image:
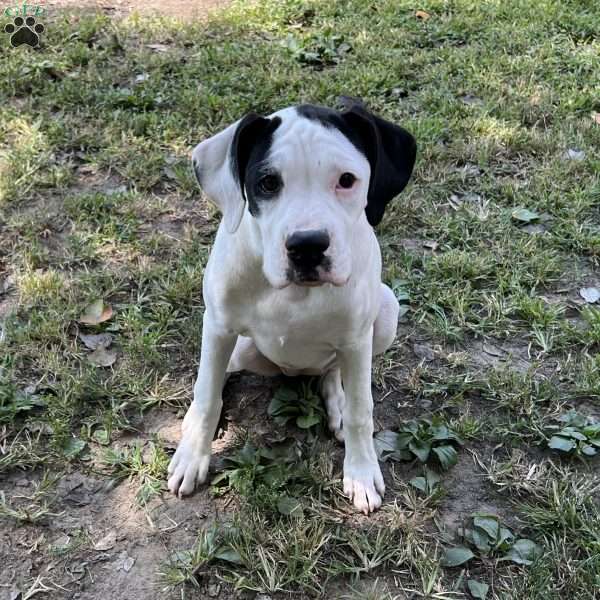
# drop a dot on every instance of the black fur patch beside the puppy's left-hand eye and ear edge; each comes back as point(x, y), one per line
point(249, 152)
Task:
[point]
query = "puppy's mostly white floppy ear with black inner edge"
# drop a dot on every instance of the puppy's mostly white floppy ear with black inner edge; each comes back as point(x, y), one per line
point(220, 165)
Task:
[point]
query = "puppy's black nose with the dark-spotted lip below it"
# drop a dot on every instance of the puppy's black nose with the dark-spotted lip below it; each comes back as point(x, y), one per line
point(306, 254)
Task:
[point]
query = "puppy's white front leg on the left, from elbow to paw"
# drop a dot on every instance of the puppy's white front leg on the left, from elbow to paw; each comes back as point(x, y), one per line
point(189, 465)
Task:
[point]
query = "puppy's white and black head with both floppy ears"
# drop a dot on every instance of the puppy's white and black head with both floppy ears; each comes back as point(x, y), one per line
point(306, 175)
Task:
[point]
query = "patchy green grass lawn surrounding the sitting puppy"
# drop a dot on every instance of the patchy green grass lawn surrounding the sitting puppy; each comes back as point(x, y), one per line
point(97, 202)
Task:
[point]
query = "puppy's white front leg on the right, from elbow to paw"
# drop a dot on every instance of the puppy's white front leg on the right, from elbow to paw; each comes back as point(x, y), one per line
point(363, 482)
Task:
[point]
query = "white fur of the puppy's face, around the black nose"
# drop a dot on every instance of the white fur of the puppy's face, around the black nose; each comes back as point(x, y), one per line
point(310, 159)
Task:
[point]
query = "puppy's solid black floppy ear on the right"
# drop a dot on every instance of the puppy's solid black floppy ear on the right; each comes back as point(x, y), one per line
point(391, 152)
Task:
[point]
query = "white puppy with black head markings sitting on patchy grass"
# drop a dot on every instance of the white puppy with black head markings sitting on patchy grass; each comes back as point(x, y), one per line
point(293, 282)
